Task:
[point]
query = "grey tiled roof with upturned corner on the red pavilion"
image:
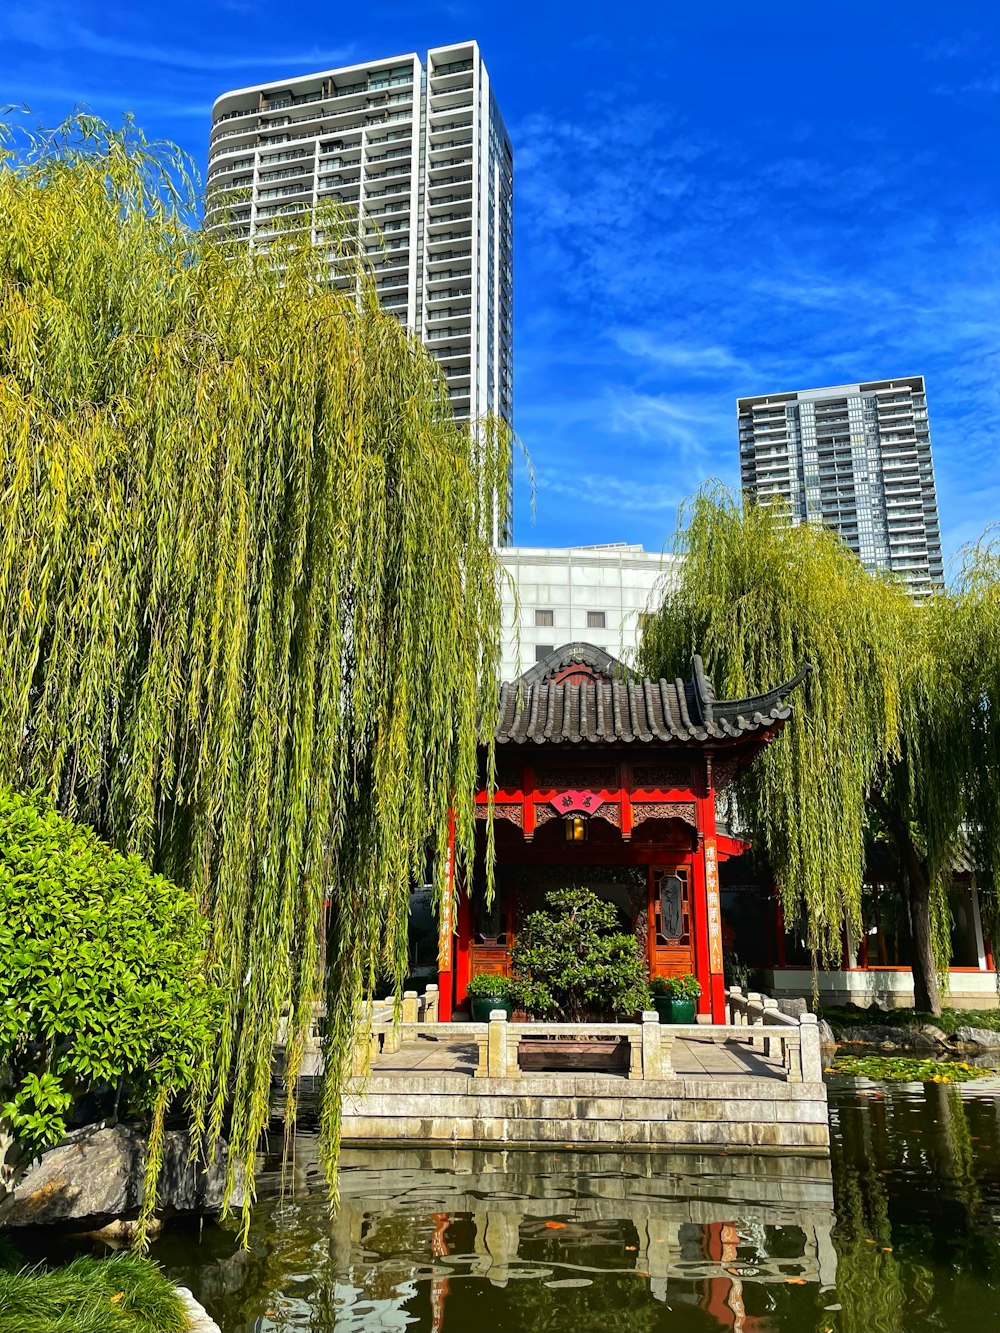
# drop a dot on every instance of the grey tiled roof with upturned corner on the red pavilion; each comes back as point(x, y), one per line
point(621, 707)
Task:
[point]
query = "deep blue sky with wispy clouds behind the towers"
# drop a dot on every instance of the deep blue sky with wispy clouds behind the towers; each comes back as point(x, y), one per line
point(710, 201)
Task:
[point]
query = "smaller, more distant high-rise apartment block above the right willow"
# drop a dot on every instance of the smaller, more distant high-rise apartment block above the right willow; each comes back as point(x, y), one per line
point(855, 458)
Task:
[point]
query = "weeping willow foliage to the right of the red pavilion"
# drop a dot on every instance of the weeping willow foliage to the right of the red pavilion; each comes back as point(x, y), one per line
point(897, 731)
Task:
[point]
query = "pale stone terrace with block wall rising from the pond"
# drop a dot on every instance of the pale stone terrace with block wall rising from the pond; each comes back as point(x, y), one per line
point(722, 1092)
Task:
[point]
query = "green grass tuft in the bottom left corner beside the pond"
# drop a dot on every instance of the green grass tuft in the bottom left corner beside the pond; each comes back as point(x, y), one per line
point(121, 1295)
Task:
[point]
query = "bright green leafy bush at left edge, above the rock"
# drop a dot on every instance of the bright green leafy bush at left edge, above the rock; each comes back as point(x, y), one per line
point(105, 980)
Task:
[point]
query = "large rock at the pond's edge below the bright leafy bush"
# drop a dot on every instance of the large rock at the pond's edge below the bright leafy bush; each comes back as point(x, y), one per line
point(97, 1175)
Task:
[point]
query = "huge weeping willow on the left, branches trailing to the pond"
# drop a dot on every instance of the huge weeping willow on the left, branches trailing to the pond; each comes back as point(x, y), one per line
point(249, 602)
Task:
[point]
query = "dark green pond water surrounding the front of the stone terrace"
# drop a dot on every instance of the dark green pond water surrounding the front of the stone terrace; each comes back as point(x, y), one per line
point(899, 1232)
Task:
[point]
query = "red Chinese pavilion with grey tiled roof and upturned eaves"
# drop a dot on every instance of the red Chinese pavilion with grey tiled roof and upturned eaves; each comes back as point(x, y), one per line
point(610, 782)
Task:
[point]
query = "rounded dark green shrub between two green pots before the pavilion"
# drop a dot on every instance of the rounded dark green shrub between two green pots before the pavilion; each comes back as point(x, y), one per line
point(571, 962)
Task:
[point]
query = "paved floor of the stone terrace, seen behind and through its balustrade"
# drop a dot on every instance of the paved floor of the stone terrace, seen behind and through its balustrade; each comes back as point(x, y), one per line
point(693, 1059)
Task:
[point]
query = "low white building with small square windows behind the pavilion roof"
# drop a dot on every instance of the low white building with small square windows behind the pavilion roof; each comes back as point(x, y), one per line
point(561, 595)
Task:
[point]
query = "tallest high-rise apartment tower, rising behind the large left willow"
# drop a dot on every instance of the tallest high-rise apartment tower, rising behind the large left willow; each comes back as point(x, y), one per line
point(418, 153)
